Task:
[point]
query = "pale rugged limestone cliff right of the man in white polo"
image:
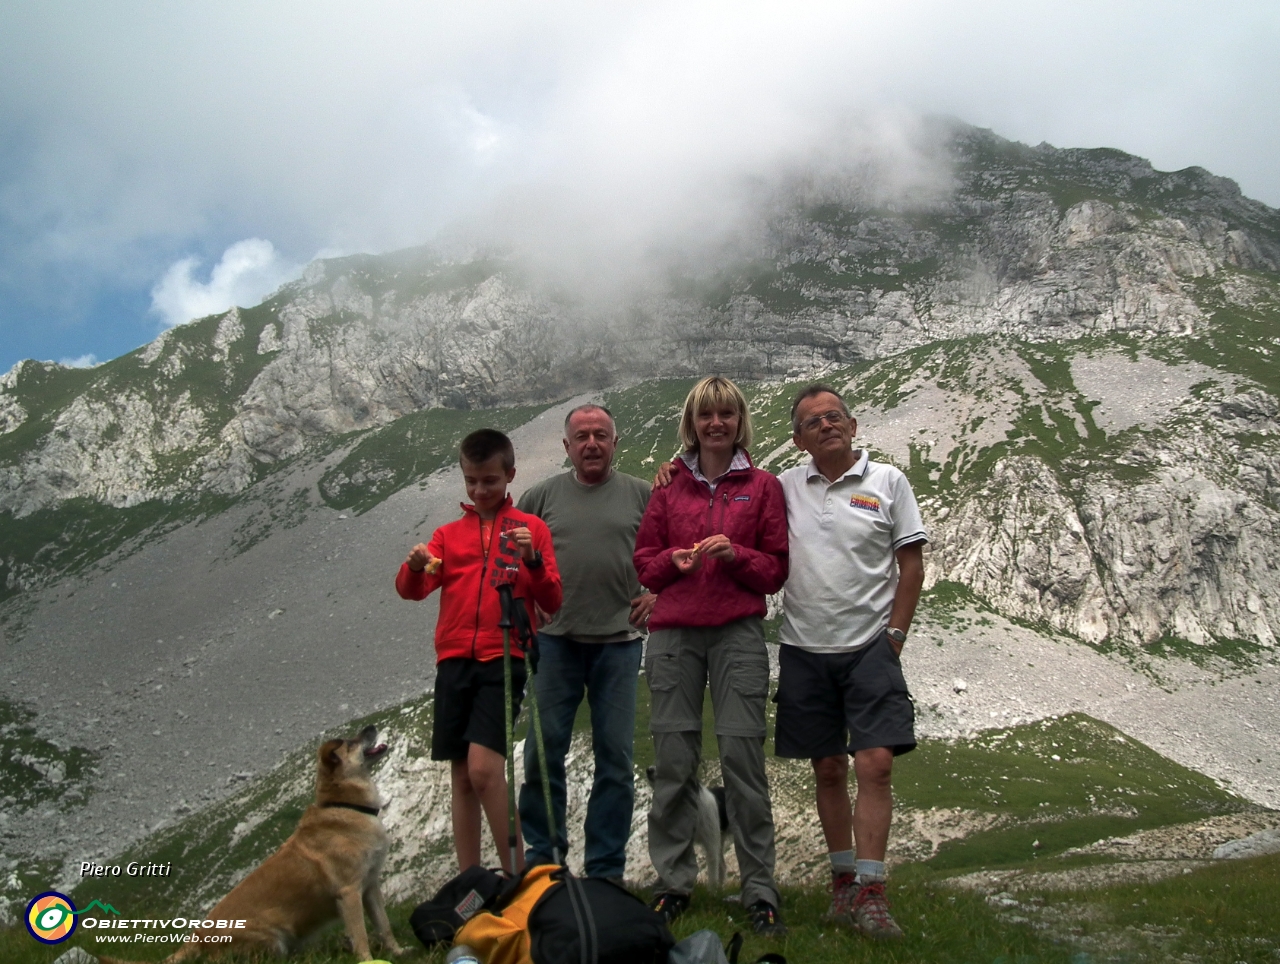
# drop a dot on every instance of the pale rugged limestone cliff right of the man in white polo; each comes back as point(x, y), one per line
point(1183, 555)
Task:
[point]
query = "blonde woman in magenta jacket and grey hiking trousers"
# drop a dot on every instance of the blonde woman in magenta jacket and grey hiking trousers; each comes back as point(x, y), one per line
point(712, 546)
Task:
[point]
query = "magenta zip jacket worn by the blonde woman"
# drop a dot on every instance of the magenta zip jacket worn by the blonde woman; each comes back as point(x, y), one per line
point(748, 508)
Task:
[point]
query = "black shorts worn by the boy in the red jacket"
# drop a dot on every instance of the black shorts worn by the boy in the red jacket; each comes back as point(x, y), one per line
point(469, 706)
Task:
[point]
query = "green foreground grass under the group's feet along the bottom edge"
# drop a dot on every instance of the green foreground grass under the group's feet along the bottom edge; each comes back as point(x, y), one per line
point(1220, 915)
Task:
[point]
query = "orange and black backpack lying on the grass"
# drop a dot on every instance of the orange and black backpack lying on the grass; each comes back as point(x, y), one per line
point(551, 917)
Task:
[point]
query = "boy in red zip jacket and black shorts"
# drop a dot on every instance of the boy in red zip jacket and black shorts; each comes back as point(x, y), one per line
point(470, 720)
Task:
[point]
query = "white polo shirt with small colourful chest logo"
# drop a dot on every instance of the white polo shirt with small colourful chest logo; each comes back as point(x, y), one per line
point(843, 538)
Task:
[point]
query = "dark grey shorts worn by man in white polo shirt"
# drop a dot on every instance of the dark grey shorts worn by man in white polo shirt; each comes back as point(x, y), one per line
point(836, 703)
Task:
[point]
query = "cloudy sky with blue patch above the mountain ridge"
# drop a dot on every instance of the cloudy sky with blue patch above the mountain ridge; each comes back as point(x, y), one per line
point(161, 162)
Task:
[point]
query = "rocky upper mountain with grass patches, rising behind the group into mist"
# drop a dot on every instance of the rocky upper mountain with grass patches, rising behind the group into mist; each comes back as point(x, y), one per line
point(1172, 533)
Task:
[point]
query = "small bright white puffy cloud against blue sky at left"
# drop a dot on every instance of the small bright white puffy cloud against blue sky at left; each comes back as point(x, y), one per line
point(249, 272)
